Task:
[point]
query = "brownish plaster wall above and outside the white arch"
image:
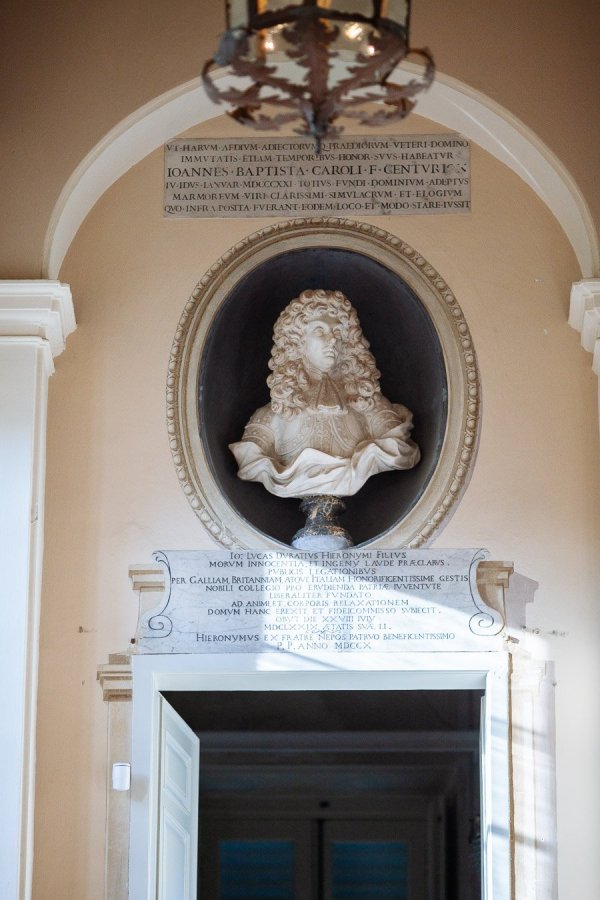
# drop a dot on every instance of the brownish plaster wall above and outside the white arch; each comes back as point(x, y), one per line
point(73, 70)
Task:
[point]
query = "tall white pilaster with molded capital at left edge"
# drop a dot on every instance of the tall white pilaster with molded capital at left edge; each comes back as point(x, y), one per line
point(35, 319)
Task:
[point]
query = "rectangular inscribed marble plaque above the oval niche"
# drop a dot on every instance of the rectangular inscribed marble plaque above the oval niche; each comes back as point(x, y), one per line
point(366, 176)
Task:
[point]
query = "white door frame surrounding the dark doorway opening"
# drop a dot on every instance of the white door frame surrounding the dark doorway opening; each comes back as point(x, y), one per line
point(279, 671)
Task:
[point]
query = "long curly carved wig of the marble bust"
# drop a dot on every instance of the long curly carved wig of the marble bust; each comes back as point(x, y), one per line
point(355, 370)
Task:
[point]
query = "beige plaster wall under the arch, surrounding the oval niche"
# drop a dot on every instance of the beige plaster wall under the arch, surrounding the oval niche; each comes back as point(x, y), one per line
point(113, 496)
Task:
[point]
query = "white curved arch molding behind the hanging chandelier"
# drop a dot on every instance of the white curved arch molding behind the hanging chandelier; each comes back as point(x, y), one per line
point(448, 102)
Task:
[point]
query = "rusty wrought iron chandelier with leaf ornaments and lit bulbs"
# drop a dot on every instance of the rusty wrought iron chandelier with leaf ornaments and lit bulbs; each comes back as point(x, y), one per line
point(342, 51)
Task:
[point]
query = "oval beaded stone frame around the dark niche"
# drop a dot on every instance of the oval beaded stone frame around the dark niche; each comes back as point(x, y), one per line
point(455, 462)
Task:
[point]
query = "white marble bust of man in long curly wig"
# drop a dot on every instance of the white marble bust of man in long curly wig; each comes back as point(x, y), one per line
point(328, 428)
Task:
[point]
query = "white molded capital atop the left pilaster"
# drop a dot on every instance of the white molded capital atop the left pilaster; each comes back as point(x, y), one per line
point(39, 309)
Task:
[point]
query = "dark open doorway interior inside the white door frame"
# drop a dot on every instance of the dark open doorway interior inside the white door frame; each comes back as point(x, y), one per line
point(337, 795)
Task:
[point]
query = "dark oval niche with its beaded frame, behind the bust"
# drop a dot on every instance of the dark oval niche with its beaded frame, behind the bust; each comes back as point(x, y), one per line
point(422, 346)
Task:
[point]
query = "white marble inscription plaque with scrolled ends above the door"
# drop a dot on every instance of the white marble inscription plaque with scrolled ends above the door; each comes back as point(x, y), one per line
point(312, 603)
